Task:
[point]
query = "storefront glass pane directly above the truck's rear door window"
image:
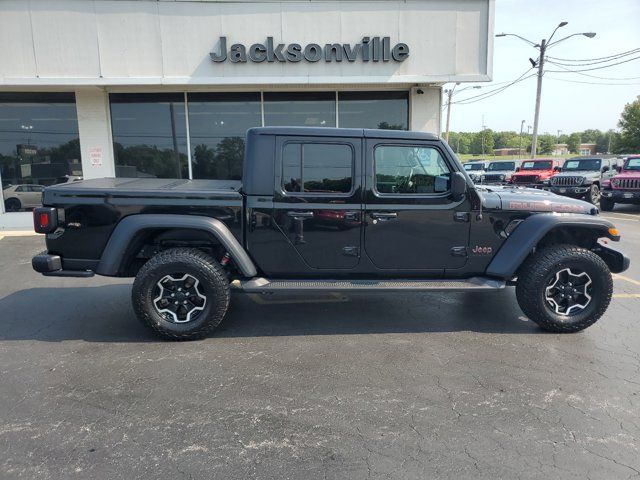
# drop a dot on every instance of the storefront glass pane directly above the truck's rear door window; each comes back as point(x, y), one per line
point(300, 109)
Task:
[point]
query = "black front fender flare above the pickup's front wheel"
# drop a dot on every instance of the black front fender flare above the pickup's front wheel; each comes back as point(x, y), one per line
point(526, 235)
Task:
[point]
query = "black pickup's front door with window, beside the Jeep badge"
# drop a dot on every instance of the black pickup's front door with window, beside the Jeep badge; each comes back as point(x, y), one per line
point(412, 223)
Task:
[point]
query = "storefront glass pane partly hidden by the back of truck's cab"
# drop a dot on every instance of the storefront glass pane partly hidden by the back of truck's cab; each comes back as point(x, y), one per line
point(218, 123)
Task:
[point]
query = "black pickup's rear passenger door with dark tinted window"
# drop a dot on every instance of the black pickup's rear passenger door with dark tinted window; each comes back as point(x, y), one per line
point(317, 201)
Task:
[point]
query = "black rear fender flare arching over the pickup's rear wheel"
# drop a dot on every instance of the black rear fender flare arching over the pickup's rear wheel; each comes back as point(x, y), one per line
point(128, 227)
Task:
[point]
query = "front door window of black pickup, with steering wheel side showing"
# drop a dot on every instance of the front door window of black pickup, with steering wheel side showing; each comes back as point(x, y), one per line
point(401, 169)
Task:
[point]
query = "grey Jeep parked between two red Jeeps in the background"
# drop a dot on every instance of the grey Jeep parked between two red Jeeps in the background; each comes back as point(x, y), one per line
point(582, 177)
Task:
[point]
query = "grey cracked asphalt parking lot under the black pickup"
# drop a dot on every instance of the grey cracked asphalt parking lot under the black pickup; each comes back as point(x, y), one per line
point(337, 386)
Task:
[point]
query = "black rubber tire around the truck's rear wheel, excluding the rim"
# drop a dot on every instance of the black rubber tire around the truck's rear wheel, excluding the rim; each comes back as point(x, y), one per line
point(196, 263)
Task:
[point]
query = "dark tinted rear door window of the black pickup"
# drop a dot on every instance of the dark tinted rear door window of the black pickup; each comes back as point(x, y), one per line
point(317, 168)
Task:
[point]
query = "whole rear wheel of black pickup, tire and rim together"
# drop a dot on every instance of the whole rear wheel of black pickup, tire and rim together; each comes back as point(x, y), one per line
point(181, 294)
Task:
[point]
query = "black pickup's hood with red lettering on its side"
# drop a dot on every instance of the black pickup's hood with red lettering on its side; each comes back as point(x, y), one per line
point(534, 200)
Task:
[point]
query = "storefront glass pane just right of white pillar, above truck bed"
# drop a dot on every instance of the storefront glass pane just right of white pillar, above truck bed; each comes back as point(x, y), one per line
point(149, 135)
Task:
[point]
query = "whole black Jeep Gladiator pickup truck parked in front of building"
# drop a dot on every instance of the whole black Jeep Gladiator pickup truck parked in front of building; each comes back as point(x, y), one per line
point(325, 209)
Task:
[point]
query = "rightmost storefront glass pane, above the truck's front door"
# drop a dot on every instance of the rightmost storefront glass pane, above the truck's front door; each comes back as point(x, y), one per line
point(386, 110)
